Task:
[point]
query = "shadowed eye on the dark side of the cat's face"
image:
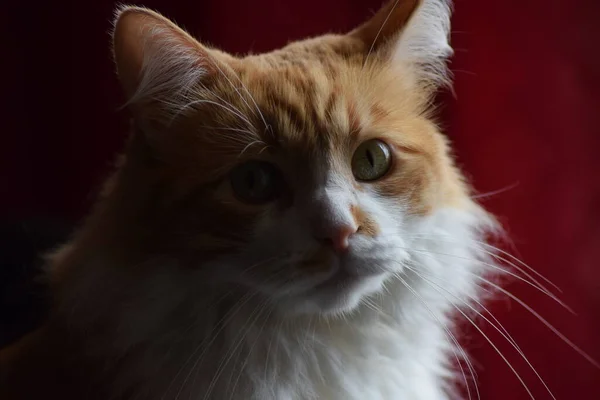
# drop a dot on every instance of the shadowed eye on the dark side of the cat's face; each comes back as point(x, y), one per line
point(256, 182)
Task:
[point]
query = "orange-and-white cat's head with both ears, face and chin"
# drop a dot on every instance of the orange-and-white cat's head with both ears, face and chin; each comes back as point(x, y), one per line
point(297, 173)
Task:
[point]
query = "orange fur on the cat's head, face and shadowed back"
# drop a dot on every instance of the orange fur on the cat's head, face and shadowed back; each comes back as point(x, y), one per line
point(322, 95)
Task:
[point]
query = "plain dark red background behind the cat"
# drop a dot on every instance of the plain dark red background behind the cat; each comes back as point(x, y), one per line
point(527, 84)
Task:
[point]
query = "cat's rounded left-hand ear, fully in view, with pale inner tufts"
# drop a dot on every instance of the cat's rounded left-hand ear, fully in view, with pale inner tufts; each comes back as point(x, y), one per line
point(157, 62)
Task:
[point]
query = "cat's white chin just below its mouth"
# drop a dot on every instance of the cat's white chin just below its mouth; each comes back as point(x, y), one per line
point(340, 295)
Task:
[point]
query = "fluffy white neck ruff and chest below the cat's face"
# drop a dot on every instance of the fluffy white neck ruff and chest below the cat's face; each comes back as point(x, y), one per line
point(172, 339)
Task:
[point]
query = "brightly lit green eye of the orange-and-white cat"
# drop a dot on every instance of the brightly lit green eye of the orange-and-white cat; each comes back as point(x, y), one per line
point(371, 160)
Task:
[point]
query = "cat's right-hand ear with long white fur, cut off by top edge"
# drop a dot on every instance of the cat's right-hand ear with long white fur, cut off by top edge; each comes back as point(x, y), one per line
point(413, 34)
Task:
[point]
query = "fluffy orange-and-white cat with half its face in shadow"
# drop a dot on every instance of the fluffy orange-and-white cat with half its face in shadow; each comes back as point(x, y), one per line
point(288, 225)
